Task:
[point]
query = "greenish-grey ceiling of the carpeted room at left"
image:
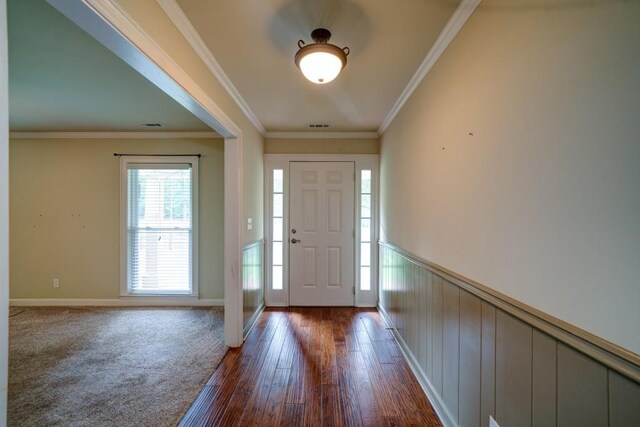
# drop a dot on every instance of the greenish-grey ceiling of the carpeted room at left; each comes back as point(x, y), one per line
point(61, 79)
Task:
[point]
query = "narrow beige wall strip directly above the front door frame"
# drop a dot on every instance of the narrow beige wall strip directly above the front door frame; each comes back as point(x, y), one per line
point(321, 146)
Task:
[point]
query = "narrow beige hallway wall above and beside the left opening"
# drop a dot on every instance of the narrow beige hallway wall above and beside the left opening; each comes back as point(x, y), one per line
point(151, 18)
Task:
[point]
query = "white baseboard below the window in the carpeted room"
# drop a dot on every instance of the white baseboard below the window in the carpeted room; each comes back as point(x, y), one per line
point(120, 302)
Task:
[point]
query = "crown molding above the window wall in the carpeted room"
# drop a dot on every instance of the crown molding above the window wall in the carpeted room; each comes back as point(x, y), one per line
point(113, 135)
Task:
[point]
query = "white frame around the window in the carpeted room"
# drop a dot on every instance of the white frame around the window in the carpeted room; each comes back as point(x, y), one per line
point(161, 161)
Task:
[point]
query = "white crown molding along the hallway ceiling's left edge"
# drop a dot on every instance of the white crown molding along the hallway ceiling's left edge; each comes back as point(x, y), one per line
point(180, 20)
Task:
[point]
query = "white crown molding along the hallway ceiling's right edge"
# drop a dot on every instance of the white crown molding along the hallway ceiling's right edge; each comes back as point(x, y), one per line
point(450, 30)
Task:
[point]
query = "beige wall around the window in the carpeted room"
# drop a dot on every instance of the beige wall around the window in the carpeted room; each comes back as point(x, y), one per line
point(65, 215)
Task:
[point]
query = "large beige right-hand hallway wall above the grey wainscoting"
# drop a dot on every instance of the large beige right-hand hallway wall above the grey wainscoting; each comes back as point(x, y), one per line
point(516, 162)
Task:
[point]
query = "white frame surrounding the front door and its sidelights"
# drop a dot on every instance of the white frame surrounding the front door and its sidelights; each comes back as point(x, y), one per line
point(280, 298)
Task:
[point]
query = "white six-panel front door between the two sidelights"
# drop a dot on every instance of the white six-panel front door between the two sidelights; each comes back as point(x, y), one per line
point(321, 233)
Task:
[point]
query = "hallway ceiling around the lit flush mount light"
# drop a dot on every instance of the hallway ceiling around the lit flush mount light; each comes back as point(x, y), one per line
point(255, 42)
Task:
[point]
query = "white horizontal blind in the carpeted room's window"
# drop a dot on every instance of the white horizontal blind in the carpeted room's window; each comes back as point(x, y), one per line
point(159, 232)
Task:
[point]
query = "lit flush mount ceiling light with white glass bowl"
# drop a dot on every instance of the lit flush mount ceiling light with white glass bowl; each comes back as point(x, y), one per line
point(321, 62)
